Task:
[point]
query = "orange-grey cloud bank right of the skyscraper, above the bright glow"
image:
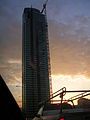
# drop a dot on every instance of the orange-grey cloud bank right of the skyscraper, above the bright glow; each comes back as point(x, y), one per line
point(69, 48)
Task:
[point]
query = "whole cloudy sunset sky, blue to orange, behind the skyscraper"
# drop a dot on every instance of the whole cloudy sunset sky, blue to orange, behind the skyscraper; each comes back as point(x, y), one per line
point(69, 41)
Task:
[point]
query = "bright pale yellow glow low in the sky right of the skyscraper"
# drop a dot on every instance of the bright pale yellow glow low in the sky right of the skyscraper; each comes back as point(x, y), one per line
point(75, 82)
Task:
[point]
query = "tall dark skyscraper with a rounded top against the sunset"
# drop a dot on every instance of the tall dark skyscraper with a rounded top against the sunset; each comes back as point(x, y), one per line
point(35, 61)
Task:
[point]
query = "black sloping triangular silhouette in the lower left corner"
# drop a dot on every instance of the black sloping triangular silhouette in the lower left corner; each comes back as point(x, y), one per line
point(9, 109)
